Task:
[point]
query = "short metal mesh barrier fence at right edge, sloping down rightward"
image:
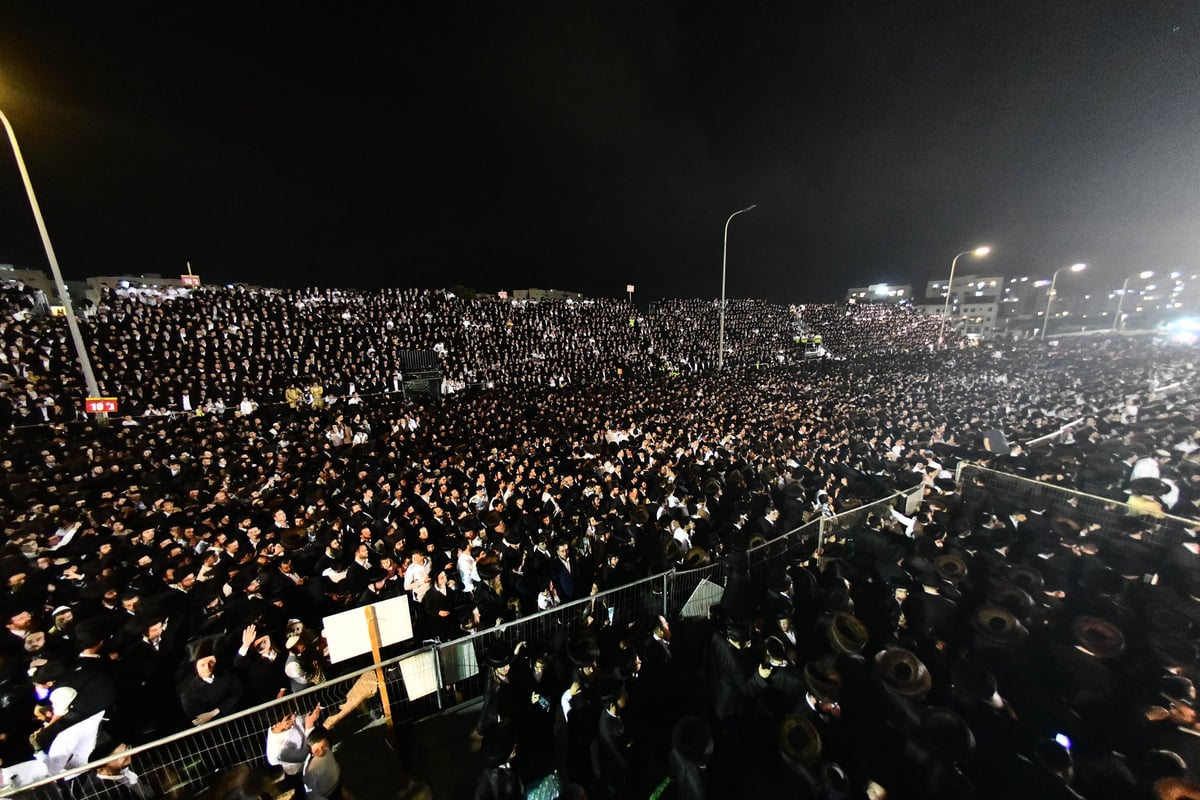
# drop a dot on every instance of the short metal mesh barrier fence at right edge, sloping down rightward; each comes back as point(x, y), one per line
point(1004, 494)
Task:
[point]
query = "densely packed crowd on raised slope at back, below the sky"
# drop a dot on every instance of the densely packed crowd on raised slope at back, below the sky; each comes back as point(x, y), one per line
point(217, 350)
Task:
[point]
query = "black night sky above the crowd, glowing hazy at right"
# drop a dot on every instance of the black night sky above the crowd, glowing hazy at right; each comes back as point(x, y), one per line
point(587, 146)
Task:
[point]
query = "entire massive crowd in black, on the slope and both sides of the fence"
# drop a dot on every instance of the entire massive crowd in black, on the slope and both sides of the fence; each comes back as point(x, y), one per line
point(166, 572)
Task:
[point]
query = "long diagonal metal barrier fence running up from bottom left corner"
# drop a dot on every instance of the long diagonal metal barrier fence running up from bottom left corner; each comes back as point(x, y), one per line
point(424, 682)
